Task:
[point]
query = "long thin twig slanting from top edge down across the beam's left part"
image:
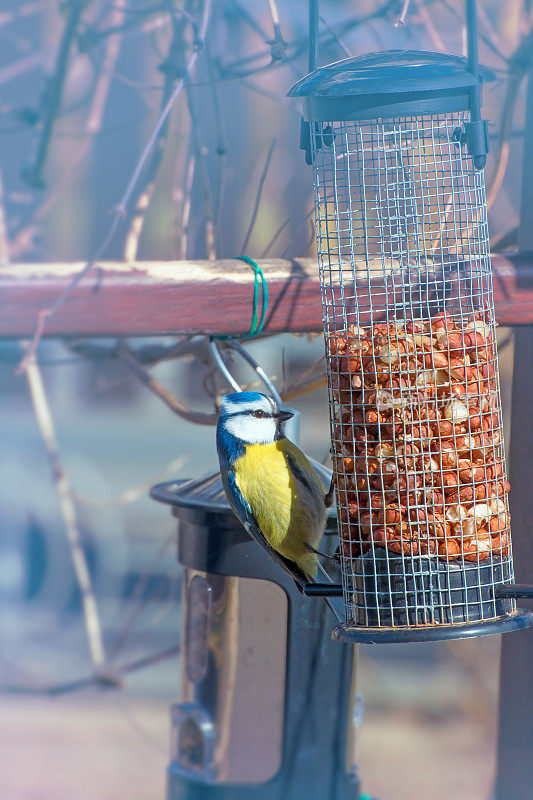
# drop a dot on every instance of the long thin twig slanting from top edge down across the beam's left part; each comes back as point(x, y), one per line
point(119, 211)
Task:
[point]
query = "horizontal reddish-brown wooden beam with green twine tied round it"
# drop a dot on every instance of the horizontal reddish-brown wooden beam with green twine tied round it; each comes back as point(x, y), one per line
point(159, 297)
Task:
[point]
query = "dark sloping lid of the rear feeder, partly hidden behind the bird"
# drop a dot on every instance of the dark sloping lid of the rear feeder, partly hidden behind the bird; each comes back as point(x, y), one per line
point(206, 494)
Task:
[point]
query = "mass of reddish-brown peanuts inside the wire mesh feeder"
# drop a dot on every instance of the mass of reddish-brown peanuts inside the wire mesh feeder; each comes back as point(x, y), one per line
point(434, 481)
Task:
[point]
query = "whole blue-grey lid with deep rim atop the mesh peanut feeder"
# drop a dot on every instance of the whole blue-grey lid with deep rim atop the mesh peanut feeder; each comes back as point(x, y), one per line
point(394, 82)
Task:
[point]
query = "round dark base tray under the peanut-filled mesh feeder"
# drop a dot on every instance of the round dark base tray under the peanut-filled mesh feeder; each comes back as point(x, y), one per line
point(433, 633)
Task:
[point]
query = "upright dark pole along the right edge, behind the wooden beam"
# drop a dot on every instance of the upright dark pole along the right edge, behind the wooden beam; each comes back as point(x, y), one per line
point(514, 780)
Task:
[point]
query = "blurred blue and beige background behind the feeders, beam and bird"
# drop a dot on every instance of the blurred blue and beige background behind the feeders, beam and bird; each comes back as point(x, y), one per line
point(82, 83)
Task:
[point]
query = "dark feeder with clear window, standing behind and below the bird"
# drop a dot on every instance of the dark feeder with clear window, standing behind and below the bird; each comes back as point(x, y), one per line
point(265, 709)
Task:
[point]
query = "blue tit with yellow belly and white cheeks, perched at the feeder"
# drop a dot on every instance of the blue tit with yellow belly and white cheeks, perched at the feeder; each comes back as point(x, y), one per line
point(269, 482)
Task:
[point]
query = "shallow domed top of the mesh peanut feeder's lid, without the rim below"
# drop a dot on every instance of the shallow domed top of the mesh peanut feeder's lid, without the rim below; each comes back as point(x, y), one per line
point(389, 72)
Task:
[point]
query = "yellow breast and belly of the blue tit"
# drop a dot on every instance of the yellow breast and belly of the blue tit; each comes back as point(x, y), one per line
point(287, 515)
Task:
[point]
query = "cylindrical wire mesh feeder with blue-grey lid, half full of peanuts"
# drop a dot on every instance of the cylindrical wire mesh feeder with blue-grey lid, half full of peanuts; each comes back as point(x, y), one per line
point(397, 146)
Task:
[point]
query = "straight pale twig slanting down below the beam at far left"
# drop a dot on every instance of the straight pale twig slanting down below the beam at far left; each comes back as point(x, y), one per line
point(68, 512)
